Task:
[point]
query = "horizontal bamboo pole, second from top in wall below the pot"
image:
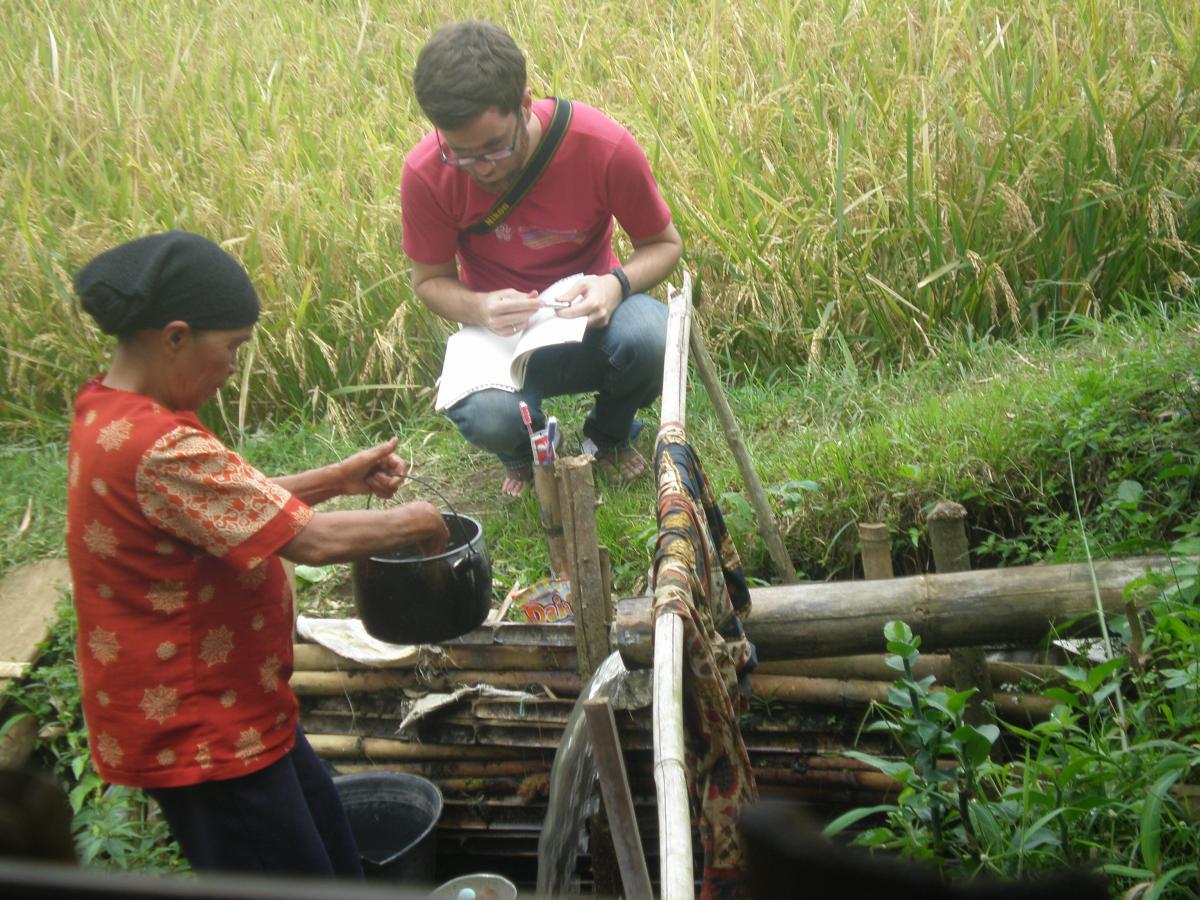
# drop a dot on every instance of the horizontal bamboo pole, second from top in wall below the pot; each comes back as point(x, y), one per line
point(364, 682)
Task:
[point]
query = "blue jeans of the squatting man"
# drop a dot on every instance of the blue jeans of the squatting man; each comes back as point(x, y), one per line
point(621, 363)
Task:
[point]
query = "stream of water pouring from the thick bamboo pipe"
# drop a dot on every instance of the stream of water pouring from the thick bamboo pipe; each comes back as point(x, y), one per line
point(574, 773)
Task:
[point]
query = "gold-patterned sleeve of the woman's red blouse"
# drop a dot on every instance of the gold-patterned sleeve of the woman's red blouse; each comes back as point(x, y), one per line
point(226, 501)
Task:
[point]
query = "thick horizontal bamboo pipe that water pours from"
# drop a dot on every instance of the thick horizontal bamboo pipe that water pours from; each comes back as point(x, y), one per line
point(1015, 607)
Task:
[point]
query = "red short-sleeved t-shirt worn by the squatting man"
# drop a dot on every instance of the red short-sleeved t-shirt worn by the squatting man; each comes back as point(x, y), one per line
point(562, 227)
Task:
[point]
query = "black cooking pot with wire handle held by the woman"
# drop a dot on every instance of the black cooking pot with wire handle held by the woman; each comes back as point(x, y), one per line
point(405, 597)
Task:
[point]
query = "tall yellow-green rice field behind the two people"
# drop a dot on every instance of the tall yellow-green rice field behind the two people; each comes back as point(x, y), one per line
point(849, 178)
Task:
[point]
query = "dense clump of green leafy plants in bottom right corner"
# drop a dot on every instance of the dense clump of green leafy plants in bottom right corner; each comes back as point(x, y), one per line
point(1109, 781)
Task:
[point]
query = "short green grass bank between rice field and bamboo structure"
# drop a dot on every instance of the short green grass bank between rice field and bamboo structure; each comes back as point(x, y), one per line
point(995, 427)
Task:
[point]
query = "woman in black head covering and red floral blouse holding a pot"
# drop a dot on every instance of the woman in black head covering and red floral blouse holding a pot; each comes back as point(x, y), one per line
point(185, 613)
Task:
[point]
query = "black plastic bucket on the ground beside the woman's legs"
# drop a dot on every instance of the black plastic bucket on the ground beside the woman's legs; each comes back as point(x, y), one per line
point(394, 818)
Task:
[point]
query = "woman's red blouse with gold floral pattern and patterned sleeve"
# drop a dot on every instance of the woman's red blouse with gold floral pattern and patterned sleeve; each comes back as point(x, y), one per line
point(185, 611)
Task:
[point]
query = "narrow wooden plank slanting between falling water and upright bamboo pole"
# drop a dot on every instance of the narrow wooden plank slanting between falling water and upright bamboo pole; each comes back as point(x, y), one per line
point(619, 801)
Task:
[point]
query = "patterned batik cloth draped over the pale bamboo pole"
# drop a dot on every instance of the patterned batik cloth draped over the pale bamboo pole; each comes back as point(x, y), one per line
point(698, 577)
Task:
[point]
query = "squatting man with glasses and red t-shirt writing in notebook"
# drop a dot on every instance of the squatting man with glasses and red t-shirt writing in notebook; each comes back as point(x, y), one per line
point(471, 82)
